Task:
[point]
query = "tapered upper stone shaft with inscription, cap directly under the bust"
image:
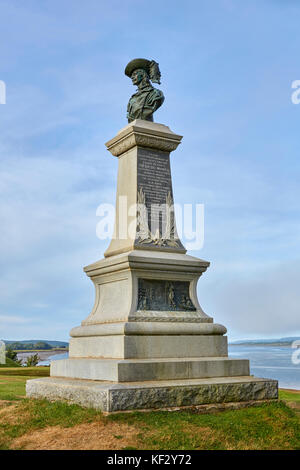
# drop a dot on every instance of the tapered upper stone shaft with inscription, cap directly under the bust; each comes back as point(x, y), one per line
point(144, 180)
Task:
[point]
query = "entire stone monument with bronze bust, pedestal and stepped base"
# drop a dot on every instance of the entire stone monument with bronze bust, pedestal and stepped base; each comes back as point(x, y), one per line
point(147, 343)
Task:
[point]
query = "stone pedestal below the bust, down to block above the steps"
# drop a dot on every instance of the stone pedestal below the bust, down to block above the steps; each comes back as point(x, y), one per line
point(146, 299)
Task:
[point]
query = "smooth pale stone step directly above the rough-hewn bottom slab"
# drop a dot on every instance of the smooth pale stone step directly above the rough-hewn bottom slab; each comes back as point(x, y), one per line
point(132, 370)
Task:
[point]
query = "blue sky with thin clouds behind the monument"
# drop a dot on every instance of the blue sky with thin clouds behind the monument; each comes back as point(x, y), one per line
point(227, 71)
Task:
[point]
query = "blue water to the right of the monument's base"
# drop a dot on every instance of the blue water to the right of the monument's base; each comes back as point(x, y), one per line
point(272, 362)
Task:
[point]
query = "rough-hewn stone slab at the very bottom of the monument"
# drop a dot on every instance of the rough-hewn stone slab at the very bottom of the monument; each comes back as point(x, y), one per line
point(113, 396)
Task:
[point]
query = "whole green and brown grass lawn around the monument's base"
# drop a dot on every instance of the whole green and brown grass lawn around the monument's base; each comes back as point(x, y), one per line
point(39, 424)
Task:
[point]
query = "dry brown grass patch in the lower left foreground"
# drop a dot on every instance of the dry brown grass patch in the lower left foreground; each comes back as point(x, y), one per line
point(87, 436)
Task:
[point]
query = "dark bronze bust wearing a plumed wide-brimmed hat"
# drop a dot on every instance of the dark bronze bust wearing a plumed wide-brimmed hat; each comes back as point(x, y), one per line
point(147, 99)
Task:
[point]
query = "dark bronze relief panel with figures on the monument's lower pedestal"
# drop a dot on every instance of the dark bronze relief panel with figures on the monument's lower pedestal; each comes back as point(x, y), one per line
point(164, 295)
